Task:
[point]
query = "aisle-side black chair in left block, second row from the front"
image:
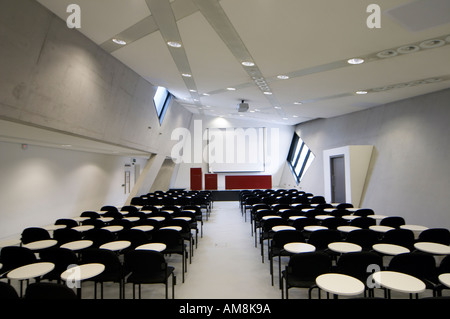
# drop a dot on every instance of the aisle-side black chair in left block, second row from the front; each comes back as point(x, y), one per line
point(174, 245)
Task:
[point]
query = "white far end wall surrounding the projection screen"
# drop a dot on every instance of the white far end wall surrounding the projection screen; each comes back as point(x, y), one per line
point(278, 141)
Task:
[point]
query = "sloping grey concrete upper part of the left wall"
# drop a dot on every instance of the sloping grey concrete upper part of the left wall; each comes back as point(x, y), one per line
point(55, 77)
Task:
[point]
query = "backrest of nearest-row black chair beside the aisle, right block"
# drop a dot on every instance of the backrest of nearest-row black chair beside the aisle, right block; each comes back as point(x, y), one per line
point(309, 265)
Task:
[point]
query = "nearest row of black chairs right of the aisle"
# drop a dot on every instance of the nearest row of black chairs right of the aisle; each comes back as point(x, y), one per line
point(303, 269)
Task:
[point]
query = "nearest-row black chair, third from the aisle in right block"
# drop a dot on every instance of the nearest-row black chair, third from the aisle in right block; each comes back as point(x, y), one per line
point(419, 265)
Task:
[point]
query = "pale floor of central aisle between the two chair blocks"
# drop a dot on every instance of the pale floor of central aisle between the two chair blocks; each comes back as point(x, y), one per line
point(226, 264)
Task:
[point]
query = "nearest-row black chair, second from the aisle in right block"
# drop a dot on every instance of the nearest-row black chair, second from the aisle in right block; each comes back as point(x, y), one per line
point(359, 265)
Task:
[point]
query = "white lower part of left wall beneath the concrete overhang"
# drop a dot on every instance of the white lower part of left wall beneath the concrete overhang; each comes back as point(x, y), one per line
point(40, 184)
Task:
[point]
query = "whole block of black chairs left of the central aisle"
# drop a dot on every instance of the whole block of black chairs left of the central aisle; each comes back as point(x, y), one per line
point(16, 256)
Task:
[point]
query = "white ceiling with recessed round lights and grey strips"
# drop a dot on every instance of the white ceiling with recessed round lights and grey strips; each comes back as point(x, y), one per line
point(308, 40)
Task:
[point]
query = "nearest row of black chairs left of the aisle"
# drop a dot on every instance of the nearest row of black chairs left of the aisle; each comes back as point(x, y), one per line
point(138, 267)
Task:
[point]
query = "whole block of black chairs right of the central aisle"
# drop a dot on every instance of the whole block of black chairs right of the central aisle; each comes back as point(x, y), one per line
point(302, 269)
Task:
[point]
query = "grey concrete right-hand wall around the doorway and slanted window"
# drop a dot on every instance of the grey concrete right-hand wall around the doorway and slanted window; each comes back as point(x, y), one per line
point(409, 172)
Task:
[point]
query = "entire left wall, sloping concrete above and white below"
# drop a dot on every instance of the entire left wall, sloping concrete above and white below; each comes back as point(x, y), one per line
point(55, 78)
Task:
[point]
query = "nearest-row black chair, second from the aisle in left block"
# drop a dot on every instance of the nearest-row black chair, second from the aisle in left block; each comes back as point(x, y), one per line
point(114, 271)
